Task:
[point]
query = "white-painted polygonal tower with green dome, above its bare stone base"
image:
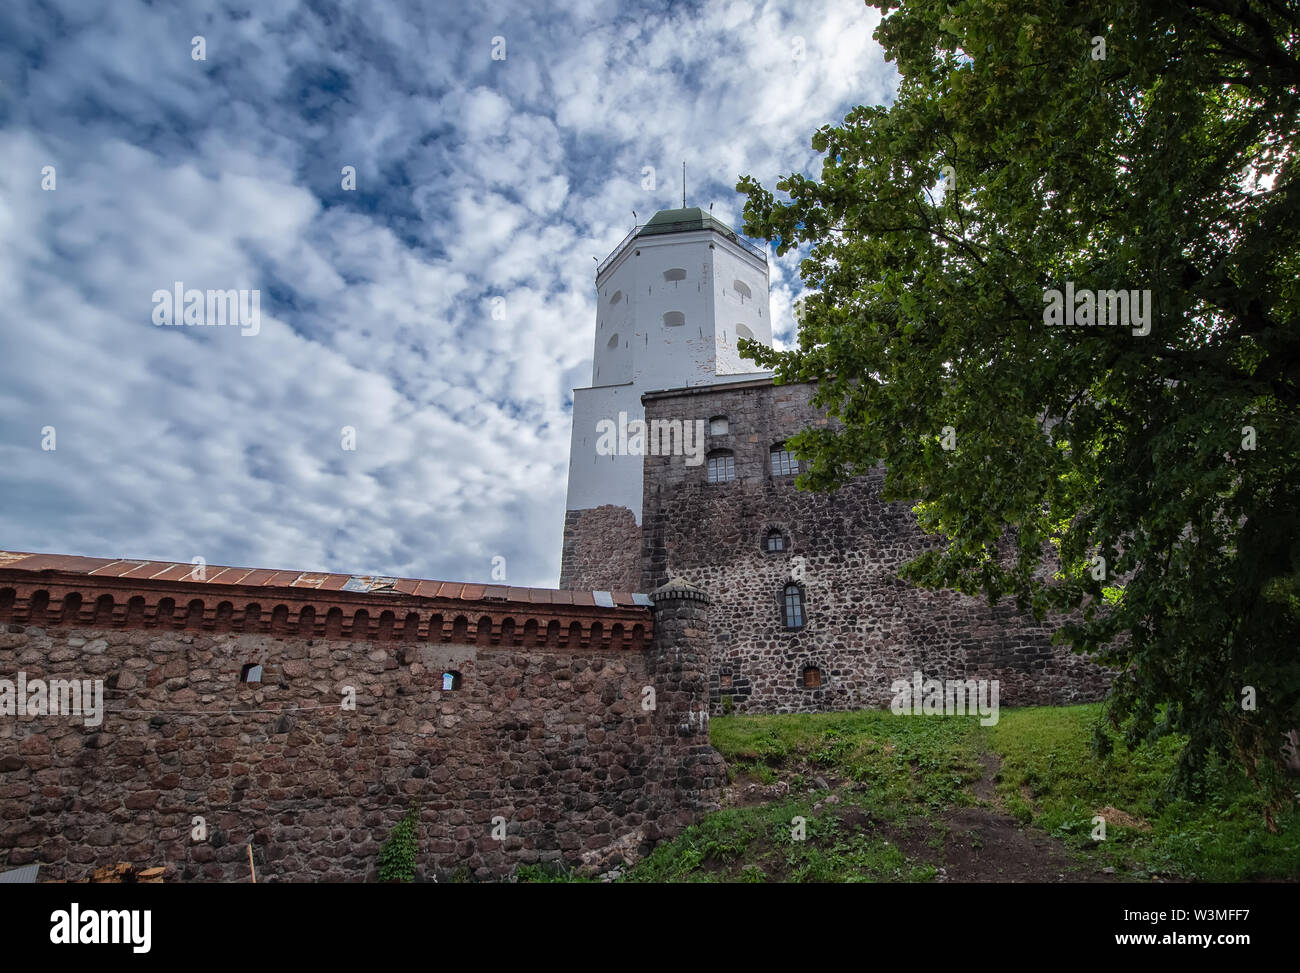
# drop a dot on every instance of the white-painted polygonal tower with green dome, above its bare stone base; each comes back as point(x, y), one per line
point(671, 302)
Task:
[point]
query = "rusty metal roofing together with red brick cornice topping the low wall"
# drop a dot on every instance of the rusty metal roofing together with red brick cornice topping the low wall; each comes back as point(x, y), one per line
point(120, 594)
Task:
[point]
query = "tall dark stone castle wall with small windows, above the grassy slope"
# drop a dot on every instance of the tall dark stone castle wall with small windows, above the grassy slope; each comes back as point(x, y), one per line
point(865, 626)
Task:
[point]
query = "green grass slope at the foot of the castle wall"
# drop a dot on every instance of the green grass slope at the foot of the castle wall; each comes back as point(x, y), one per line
point(900, 775)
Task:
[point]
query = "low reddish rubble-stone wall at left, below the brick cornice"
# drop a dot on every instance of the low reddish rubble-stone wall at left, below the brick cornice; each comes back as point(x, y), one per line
point(547, 732)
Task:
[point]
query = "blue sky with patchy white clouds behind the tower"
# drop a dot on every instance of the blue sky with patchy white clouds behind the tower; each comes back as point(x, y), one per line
point(476, 179)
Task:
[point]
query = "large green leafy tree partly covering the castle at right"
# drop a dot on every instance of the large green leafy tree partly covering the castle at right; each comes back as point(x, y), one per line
point(1141, 477)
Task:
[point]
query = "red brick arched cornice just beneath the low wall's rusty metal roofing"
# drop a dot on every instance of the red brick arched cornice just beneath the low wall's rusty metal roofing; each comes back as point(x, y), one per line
point(54, 598)
